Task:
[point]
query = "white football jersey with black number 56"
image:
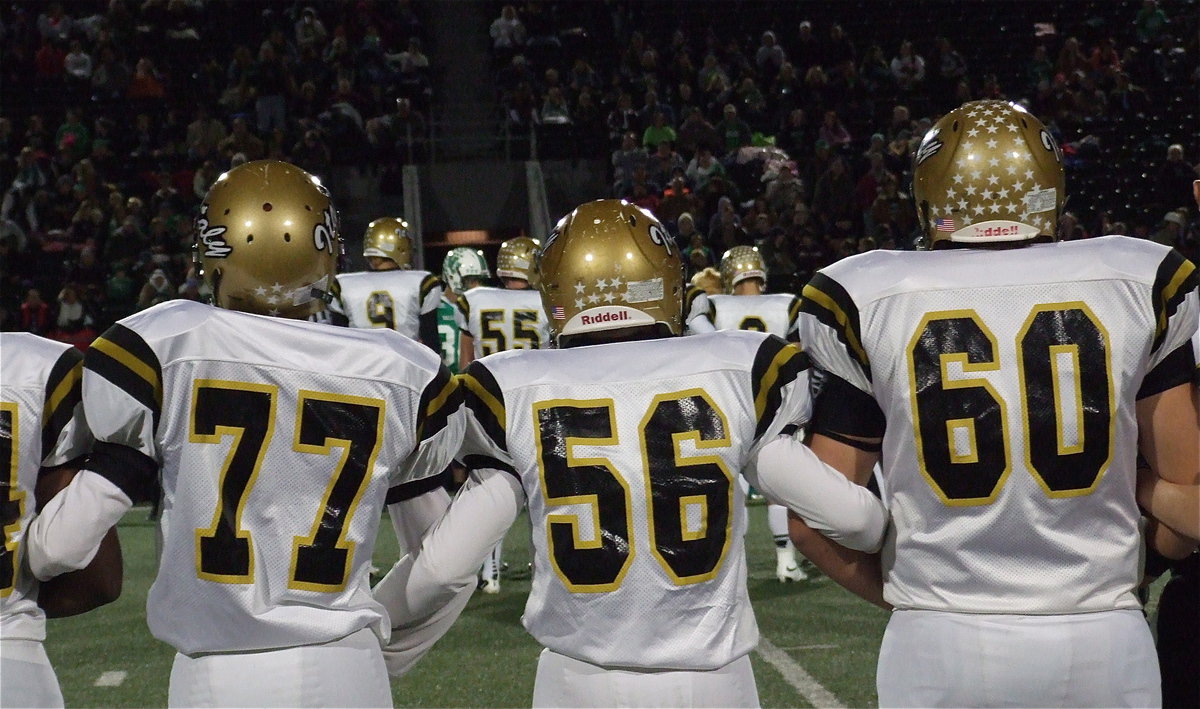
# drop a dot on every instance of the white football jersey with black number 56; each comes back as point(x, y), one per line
point(629, 473)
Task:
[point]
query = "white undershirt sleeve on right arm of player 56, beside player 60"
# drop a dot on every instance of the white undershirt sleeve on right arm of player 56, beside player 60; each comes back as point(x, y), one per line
point(790, 474)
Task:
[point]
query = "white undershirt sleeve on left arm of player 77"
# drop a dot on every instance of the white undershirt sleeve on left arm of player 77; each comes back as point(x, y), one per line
point(68, 534)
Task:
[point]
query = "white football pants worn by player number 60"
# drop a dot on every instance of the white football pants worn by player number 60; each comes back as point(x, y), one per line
point(935, 659)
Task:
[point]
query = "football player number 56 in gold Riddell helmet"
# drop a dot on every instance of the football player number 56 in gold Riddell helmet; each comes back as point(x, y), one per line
point(626, 443)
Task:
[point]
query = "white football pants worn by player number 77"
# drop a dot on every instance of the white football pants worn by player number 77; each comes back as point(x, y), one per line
point(349, 672)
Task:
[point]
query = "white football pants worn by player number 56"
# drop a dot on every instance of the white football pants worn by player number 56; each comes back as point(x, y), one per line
point(566, 682)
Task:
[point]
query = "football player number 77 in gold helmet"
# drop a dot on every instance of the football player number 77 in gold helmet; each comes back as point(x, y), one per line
point(273, 444)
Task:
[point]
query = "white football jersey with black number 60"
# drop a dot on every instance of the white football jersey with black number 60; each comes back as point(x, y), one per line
point(1009, 381)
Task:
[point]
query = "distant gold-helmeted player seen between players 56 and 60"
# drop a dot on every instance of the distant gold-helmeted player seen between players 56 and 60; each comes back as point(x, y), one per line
point(747, 307)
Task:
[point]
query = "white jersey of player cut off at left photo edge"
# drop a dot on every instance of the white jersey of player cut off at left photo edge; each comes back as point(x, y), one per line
point(41, 425)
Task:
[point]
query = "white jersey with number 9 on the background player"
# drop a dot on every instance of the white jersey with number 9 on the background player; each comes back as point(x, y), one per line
point(392, 299)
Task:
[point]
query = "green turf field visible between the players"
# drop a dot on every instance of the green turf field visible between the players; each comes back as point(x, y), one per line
point(488, 659)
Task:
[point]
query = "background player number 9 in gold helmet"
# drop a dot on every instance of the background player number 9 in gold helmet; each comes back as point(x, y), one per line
point(392, 295)
